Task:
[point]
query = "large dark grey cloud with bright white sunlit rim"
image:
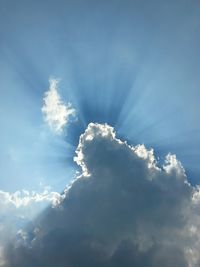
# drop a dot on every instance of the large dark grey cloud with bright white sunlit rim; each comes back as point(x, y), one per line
point(123, 210)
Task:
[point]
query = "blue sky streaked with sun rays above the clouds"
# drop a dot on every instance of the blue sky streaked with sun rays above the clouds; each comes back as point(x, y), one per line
point(132, 64)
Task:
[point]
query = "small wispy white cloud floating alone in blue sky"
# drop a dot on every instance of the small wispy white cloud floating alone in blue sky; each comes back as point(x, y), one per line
point(56, 113)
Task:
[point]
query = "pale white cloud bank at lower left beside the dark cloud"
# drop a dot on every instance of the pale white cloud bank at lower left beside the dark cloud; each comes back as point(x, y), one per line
point(20, 208)
